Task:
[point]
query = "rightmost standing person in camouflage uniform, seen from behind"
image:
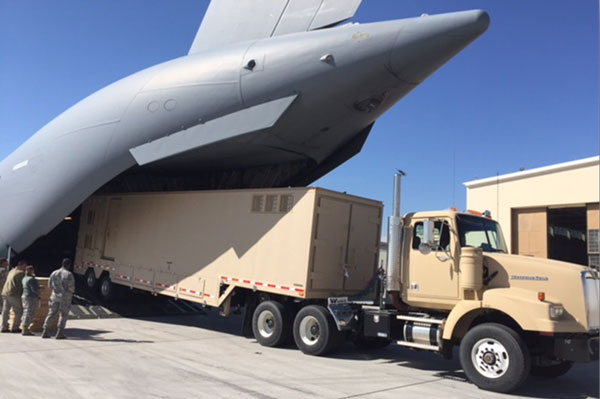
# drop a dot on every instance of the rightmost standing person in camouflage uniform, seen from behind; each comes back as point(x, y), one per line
point(62, 283)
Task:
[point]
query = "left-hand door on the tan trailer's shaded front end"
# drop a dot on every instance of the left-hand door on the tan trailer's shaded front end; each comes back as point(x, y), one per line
point(330, 244)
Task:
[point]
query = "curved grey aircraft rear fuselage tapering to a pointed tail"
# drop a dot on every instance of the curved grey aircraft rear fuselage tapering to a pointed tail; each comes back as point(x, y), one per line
point(339, 80)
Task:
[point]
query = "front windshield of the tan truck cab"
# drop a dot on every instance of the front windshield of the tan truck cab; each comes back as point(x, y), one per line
point(479, 232)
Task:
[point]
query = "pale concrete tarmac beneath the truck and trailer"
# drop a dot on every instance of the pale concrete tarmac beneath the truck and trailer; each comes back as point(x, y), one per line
point(203, 356)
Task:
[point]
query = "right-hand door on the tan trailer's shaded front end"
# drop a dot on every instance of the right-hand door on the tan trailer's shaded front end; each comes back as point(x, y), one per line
point(363, 245)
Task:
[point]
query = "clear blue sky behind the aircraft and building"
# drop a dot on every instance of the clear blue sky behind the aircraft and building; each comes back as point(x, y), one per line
point(525, 94)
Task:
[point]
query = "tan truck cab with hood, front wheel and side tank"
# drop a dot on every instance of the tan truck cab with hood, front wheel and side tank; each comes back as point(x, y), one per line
point(510, 315)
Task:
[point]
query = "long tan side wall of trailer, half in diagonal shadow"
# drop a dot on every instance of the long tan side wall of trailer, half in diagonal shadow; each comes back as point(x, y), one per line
point(184, 244)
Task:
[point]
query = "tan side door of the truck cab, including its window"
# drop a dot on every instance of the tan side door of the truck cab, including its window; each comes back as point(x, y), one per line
point(433, 275)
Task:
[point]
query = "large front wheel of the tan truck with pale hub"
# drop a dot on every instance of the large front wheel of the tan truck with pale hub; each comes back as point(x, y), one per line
point(494, 357)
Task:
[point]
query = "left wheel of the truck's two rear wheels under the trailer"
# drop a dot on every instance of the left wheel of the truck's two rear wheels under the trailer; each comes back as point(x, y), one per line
point(271, 324)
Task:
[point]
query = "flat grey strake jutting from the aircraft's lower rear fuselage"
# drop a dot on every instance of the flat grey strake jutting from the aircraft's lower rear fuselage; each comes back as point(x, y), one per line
point(258, 117)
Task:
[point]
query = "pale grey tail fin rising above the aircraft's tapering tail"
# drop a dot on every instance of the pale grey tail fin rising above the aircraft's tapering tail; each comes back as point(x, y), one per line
point(232, 21)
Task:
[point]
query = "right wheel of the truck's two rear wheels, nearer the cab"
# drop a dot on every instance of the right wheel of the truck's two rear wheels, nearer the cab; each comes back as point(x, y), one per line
point(315, 332)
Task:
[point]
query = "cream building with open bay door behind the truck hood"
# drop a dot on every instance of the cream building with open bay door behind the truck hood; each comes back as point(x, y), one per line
point(549, 212)
